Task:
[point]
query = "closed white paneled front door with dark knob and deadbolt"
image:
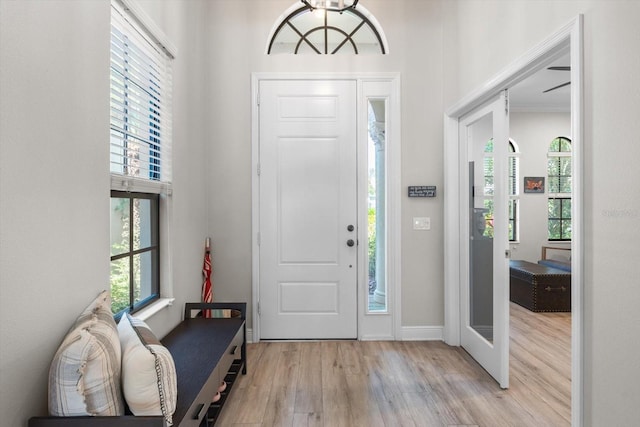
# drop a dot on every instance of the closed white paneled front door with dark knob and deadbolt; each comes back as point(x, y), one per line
point(308, 218)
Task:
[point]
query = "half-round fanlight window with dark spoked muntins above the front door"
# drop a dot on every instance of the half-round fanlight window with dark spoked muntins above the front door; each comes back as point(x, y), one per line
point(302, 29)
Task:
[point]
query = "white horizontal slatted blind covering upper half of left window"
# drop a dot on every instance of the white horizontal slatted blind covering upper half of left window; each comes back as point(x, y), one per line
point(140, 136)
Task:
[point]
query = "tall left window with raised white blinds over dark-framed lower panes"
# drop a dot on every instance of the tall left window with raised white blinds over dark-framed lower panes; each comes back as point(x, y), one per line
point(140, 156)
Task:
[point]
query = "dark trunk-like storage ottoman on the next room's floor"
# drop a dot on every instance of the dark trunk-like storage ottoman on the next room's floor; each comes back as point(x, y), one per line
point(539, 288)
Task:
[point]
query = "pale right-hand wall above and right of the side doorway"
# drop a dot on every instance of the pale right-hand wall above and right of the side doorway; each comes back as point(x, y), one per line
point(612, 205)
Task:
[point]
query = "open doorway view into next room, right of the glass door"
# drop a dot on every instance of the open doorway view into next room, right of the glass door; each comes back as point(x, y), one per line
point(541, 122)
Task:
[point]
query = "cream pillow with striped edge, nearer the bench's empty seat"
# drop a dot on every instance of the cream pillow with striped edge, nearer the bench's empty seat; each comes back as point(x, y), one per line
point(148, 372)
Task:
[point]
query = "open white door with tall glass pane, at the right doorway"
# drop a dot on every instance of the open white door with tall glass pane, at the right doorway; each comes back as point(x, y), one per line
point(484, 241)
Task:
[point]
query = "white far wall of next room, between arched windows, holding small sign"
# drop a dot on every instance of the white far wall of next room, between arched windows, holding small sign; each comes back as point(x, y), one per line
point(533, 132)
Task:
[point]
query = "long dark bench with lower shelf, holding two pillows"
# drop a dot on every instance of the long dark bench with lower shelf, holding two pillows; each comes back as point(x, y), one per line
point(205, 352)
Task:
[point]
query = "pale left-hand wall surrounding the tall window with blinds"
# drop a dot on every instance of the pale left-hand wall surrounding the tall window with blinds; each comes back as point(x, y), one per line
point(54, 180)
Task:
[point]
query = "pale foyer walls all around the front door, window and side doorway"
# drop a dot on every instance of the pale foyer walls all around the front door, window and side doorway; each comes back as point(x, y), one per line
point(57, 210)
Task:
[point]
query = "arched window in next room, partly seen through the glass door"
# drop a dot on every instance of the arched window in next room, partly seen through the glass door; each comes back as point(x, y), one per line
point(512, 189)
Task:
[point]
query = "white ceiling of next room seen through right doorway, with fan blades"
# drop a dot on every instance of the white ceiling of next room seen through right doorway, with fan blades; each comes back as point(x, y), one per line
point(528, 95)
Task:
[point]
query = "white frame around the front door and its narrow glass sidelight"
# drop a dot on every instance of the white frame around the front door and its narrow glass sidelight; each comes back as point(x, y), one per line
point(368, 324)
